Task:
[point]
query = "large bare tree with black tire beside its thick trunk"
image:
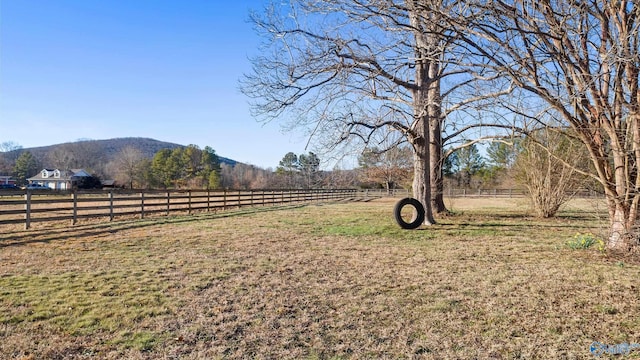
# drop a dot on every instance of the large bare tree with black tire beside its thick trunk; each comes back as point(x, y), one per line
point(348, 69)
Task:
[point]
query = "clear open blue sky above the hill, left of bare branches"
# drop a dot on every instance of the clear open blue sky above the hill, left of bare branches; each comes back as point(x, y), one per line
point(162, 69)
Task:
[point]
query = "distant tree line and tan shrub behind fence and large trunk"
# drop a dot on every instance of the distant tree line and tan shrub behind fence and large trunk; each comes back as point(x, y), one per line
point(548, 163)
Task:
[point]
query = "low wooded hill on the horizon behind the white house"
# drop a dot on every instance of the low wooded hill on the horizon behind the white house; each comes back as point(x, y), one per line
point(93, 154)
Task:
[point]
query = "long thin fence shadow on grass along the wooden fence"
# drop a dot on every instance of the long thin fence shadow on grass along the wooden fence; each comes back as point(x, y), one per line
point(19, 238)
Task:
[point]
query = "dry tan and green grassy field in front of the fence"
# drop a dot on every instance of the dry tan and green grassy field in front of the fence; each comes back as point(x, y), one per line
point(319, 282)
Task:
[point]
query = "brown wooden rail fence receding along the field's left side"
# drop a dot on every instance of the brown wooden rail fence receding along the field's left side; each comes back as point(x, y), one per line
point(27, 206)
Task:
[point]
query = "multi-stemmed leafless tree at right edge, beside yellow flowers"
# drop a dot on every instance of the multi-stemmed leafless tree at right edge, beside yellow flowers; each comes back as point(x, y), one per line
point(583, 59)
